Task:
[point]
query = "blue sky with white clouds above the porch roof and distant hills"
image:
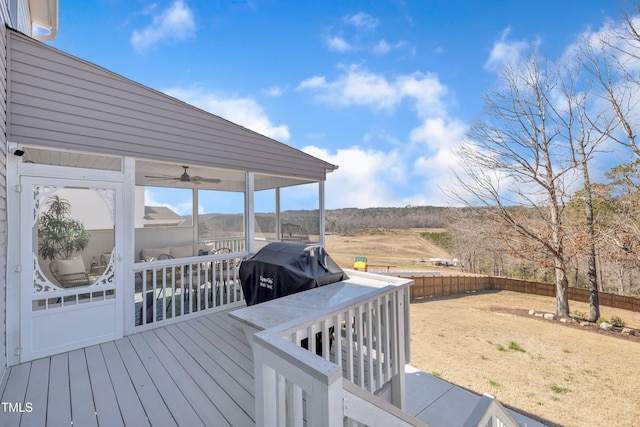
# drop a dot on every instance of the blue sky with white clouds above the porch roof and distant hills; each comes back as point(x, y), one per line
point(383, 89)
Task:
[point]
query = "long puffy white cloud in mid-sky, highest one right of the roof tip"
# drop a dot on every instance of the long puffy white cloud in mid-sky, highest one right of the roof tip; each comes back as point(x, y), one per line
point(359, 87)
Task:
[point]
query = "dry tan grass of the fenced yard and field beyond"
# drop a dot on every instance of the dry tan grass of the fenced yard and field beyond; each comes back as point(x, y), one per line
point(558, 374)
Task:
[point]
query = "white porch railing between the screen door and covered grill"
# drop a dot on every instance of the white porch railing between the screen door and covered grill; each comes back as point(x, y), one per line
point(170, 289)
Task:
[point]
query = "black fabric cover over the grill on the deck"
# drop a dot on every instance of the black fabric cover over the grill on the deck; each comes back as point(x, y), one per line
point(281, 269)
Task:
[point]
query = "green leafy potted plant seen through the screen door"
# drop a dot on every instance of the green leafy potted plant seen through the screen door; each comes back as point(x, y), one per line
point(60, 235)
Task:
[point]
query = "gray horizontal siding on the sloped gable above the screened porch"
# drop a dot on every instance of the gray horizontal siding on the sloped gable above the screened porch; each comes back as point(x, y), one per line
point(58, 100)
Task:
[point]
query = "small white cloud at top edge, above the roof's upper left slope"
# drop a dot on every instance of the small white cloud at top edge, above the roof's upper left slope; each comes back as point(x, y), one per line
point(174, 23)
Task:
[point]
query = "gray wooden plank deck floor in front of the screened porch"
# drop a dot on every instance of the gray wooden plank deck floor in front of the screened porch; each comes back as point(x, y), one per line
point(196, 372)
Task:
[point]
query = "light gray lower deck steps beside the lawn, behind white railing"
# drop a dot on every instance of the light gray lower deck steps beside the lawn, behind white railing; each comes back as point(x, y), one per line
point(442, 404)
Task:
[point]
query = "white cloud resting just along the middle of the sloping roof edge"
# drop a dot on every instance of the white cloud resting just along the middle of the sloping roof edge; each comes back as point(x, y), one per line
point(243, 111)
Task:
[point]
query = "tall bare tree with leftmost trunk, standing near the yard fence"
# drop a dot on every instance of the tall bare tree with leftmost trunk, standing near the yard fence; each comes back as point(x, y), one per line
point(518, 166)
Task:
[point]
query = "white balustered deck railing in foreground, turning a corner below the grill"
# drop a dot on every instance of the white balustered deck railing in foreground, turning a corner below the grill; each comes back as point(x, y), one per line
point(366, 341)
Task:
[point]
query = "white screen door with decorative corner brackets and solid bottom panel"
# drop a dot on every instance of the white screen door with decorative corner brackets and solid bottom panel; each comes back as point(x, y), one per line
point(69, 248)
